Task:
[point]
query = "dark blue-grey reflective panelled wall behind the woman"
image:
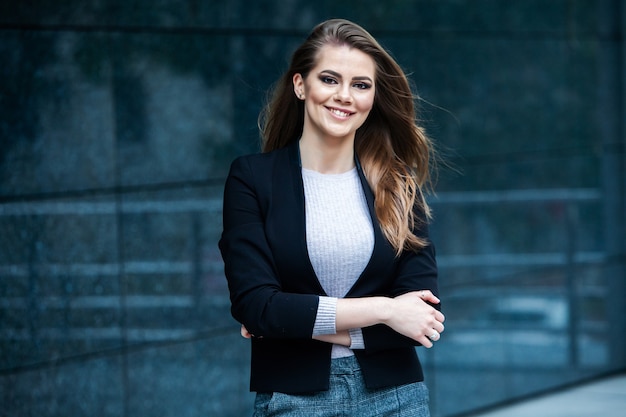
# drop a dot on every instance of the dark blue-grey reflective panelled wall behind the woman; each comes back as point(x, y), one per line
point(119, 119)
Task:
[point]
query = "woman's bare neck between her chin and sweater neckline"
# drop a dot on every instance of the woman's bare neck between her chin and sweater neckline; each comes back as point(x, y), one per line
point(327, 158)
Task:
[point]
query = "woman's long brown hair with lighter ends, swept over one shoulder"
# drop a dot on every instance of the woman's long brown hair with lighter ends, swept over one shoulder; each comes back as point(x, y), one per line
point(393, 149)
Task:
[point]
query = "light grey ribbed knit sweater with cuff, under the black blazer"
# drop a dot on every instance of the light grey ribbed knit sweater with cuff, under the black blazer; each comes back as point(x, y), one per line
point(340, 241)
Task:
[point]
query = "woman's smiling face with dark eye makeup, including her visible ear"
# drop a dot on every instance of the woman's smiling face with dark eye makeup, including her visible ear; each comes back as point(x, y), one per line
point(338, 93)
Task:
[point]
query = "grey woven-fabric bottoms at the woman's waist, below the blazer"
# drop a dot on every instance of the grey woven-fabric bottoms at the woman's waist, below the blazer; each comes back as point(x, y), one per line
point(347, 396)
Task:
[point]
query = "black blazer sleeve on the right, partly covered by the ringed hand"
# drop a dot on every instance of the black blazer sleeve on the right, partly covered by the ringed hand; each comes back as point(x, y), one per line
point(415, 270)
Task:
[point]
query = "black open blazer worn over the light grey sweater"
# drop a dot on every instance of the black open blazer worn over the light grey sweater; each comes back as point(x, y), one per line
point(274, 290)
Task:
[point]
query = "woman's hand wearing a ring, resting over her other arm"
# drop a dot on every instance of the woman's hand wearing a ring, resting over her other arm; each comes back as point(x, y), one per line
point(411, 315)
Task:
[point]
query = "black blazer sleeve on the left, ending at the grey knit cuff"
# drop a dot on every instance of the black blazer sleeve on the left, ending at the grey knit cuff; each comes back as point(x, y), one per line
point(257, 299)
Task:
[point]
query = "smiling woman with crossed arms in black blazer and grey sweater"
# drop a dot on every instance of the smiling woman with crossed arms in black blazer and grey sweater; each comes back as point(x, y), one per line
point(325, 242)
